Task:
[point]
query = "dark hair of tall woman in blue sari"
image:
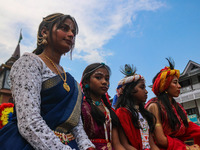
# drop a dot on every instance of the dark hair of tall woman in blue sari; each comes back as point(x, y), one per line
point(48, 23)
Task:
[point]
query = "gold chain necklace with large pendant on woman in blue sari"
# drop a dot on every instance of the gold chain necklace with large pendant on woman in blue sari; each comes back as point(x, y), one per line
point(65, 85)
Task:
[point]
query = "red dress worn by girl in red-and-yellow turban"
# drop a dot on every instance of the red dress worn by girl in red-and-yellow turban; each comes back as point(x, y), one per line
point(176, 138)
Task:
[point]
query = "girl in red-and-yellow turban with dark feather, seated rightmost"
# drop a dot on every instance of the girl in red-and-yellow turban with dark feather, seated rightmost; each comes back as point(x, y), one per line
point(172, 126)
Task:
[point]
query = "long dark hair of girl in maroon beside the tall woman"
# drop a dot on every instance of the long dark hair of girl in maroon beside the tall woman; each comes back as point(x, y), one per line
point(97, 114)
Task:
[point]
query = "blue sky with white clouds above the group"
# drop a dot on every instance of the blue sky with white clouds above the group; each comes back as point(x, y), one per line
point(116, 32)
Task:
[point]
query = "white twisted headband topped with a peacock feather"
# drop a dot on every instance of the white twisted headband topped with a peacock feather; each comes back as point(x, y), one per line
point(130, 77)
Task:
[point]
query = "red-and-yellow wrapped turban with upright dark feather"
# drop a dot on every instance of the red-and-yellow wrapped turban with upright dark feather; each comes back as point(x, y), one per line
point(164, 78)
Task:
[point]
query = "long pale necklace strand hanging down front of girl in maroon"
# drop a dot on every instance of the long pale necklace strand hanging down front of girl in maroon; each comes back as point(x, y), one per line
point(108, 120)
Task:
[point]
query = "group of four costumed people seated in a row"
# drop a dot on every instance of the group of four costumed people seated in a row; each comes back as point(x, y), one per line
point(53, 111)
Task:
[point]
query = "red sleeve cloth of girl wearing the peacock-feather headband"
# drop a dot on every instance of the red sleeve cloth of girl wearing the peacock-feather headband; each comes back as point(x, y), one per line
point(133, 134)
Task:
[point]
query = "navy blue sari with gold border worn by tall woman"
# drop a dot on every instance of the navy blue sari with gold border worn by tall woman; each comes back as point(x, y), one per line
point(60, 109)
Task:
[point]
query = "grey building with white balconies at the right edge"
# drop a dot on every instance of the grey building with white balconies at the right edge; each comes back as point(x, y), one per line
point(189, 96)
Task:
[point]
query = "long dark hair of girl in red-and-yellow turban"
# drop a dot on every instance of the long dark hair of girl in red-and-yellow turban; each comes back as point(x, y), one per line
point(173, 120)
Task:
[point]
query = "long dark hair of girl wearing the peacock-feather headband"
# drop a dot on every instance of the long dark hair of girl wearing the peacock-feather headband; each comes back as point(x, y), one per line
point(128, 101)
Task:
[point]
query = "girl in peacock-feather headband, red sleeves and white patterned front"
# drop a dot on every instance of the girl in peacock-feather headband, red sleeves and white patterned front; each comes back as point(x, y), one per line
point(137, 123)
